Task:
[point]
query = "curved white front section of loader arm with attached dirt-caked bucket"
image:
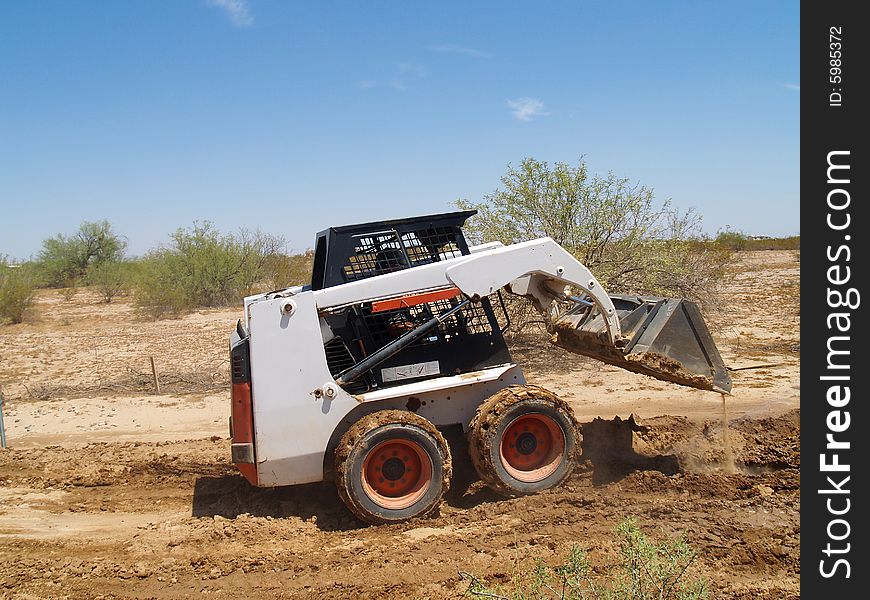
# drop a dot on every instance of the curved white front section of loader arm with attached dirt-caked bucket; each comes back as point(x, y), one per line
point(665, 338)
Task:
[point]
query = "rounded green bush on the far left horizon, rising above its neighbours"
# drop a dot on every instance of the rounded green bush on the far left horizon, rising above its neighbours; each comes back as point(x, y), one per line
point(64, 260)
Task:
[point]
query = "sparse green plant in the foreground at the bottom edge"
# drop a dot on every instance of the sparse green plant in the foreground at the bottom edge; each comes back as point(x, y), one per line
point(645, 570)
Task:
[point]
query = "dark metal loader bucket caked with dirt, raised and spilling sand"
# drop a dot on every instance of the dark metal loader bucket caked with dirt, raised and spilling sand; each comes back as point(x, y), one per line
point(664, 338)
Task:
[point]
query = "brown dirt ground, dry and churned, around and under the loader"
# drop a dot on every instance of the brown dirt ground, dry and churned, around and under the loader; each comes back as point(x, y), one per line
point(112, 491)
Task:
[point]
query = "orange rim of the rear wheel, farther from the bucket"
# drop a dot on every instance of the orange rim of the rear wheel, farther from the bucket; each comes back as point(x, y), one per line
point(396, 474)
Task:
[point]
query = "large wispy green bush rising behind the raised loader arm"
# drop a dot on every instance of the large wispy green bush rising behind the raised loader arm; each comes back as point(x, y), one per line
point(631, 242)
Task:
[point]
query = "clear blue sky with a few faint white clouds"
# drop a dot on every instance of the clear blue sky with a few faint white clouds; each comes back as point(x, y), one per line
point(293, 116)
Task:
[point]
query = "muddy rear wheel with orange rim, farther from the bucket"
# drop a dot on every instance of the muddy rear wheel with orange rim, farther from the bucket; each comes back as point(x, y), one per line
point(408, 479)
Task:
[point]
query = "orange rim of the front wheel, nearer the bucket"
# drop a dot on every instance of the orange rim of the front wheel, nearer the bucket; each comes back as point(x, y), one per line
point(532, 447)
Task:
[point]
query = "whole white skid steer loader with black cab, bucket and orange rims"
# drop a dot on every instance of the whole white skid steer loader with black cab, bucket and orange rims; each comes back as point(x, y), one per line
point(399, 336)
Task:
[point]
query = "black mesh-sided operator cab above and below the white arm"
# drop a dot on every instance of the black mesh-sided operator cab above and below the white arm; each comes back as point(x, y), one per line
point(469, 340)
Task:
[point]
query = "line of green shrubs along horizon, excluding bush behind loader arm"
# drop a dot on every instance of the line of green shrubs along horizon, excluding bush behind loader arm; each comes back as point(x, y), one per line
point(199, 267)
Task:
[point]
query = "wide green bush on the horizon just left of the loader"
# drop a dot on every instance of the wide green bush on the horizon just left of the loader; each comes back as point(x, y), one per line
point(202, 267)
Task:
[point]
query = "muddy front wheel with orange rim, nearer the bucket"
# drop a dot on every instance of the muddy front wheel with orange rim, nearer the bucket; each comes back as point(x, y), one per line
point(524, 439)
